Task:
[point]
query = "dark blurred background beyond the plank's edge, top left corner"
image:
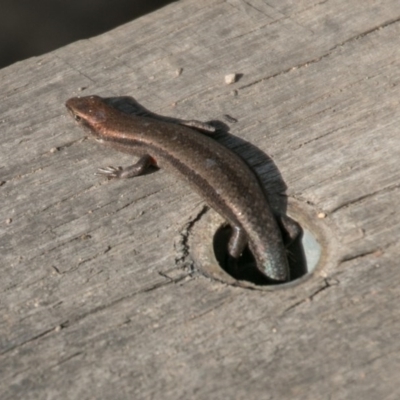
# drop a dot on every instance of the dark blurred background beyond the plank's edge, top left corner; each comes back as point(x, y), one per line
point(33, 27)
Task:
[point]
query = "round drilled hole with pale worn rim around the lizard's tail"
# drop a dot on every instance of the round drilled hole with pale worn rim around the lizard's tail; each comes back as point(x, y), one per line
point(311, 252)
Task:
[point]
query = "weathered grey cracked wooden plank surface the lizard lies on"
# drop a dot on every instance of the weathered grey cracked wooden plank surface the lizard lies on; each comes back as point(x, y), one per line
point(94, 303)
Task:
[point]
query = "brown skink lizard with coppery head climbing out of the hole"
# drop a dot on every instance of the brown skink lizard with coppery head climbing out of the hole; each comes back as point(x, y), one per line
point(220, 176)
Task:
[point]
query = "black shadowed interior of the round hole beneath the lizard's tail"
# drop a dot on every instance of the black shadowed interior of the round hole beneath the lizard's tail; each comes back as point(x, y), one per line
point(244, 269)
